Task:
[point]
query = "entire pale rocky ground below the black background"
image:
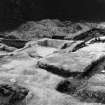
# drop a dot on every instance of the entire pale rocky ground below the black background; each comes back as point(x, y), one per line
point(50, 62)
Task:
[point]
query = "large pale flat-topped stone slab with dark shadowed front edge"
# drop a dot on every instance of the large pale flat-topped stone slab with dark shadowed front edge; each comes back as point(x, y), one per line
point(66, 63)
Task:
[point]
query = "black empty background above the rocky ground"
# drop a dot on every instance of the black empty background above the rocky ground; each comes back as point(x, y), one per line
point(15, 12)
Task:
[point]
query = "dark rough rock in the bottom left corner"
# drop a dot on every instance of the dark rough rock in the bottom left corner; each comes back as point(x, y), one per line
point(12, 94)
